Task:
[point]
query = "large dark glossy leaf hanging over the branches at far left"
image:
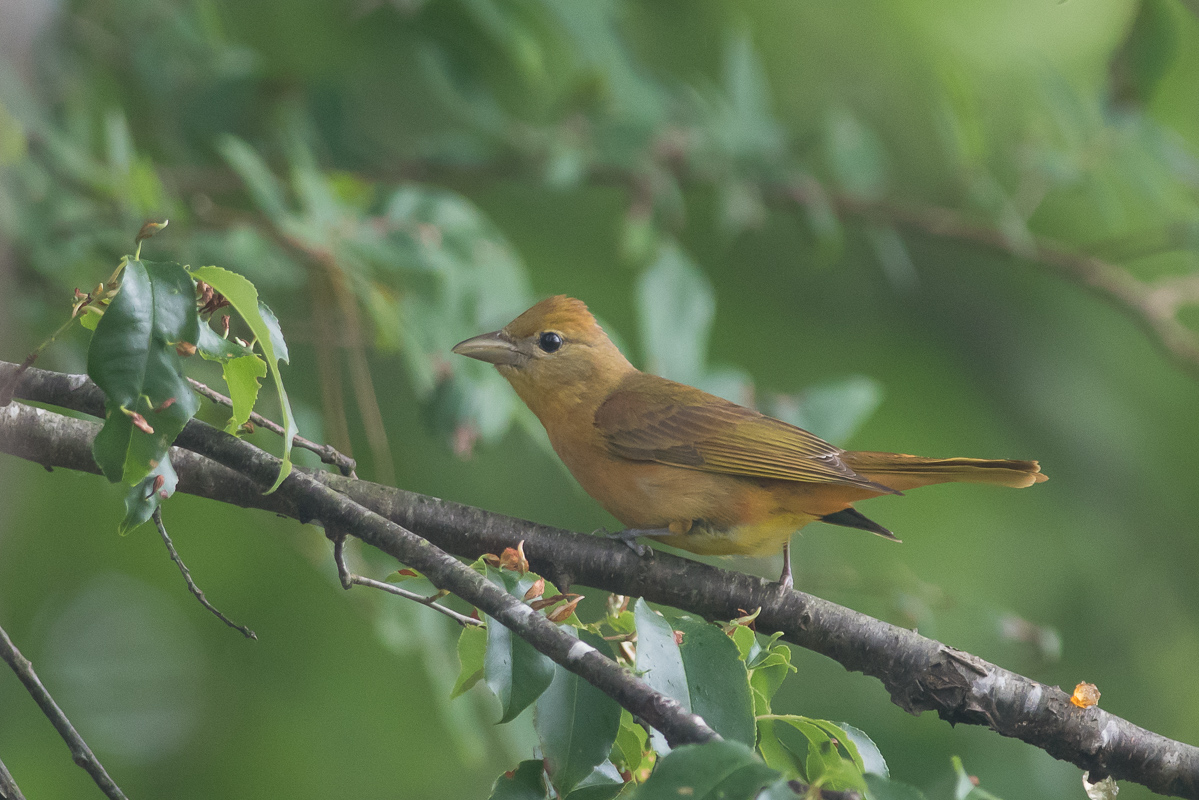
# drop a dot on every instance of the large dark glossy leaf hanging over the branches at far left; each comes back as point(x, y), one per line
point(132, 359)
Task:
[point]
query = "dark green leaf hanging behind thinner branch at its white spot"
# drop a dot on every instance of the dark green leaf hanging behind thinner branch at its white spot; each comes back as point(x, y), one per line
point(576, 724)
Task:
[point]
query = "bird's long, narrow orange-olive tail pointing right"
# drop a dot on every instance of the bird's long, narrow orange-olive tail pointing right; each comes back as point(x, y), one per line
point(901, 472)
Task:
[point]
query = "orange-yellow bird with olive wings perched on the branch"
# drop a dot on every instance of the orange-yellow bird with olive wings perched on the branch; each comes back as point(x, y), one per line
point(690, 470)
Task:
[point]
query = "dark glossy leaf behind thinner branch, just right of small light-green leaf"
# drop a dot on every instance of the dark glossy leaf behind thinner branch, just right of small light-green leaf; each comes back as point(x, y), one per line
point(515, 672)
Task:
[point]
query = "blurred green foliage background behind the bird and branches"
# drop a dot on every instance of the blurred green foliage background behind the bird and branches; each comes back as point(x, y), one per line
point(397, 176)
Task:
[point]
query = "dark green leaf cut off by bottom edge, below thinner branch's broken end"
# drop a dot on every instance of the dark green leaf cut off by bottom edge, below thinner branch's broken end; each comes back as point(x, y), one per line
point(716, 771)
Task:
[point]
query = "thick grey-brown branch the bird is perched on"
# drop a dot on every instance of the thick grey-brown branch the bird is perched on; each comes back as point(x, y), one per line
point(920, 673)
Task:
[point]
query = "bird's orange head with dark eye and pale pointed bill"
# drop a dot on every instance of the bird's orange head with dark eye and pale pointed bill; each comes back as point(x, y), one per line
point(556, 356)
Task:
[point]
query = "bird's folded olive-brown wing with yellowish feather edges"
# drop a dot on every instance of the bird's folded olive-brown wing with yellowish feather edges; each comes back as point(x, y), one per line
point(653, 419)
